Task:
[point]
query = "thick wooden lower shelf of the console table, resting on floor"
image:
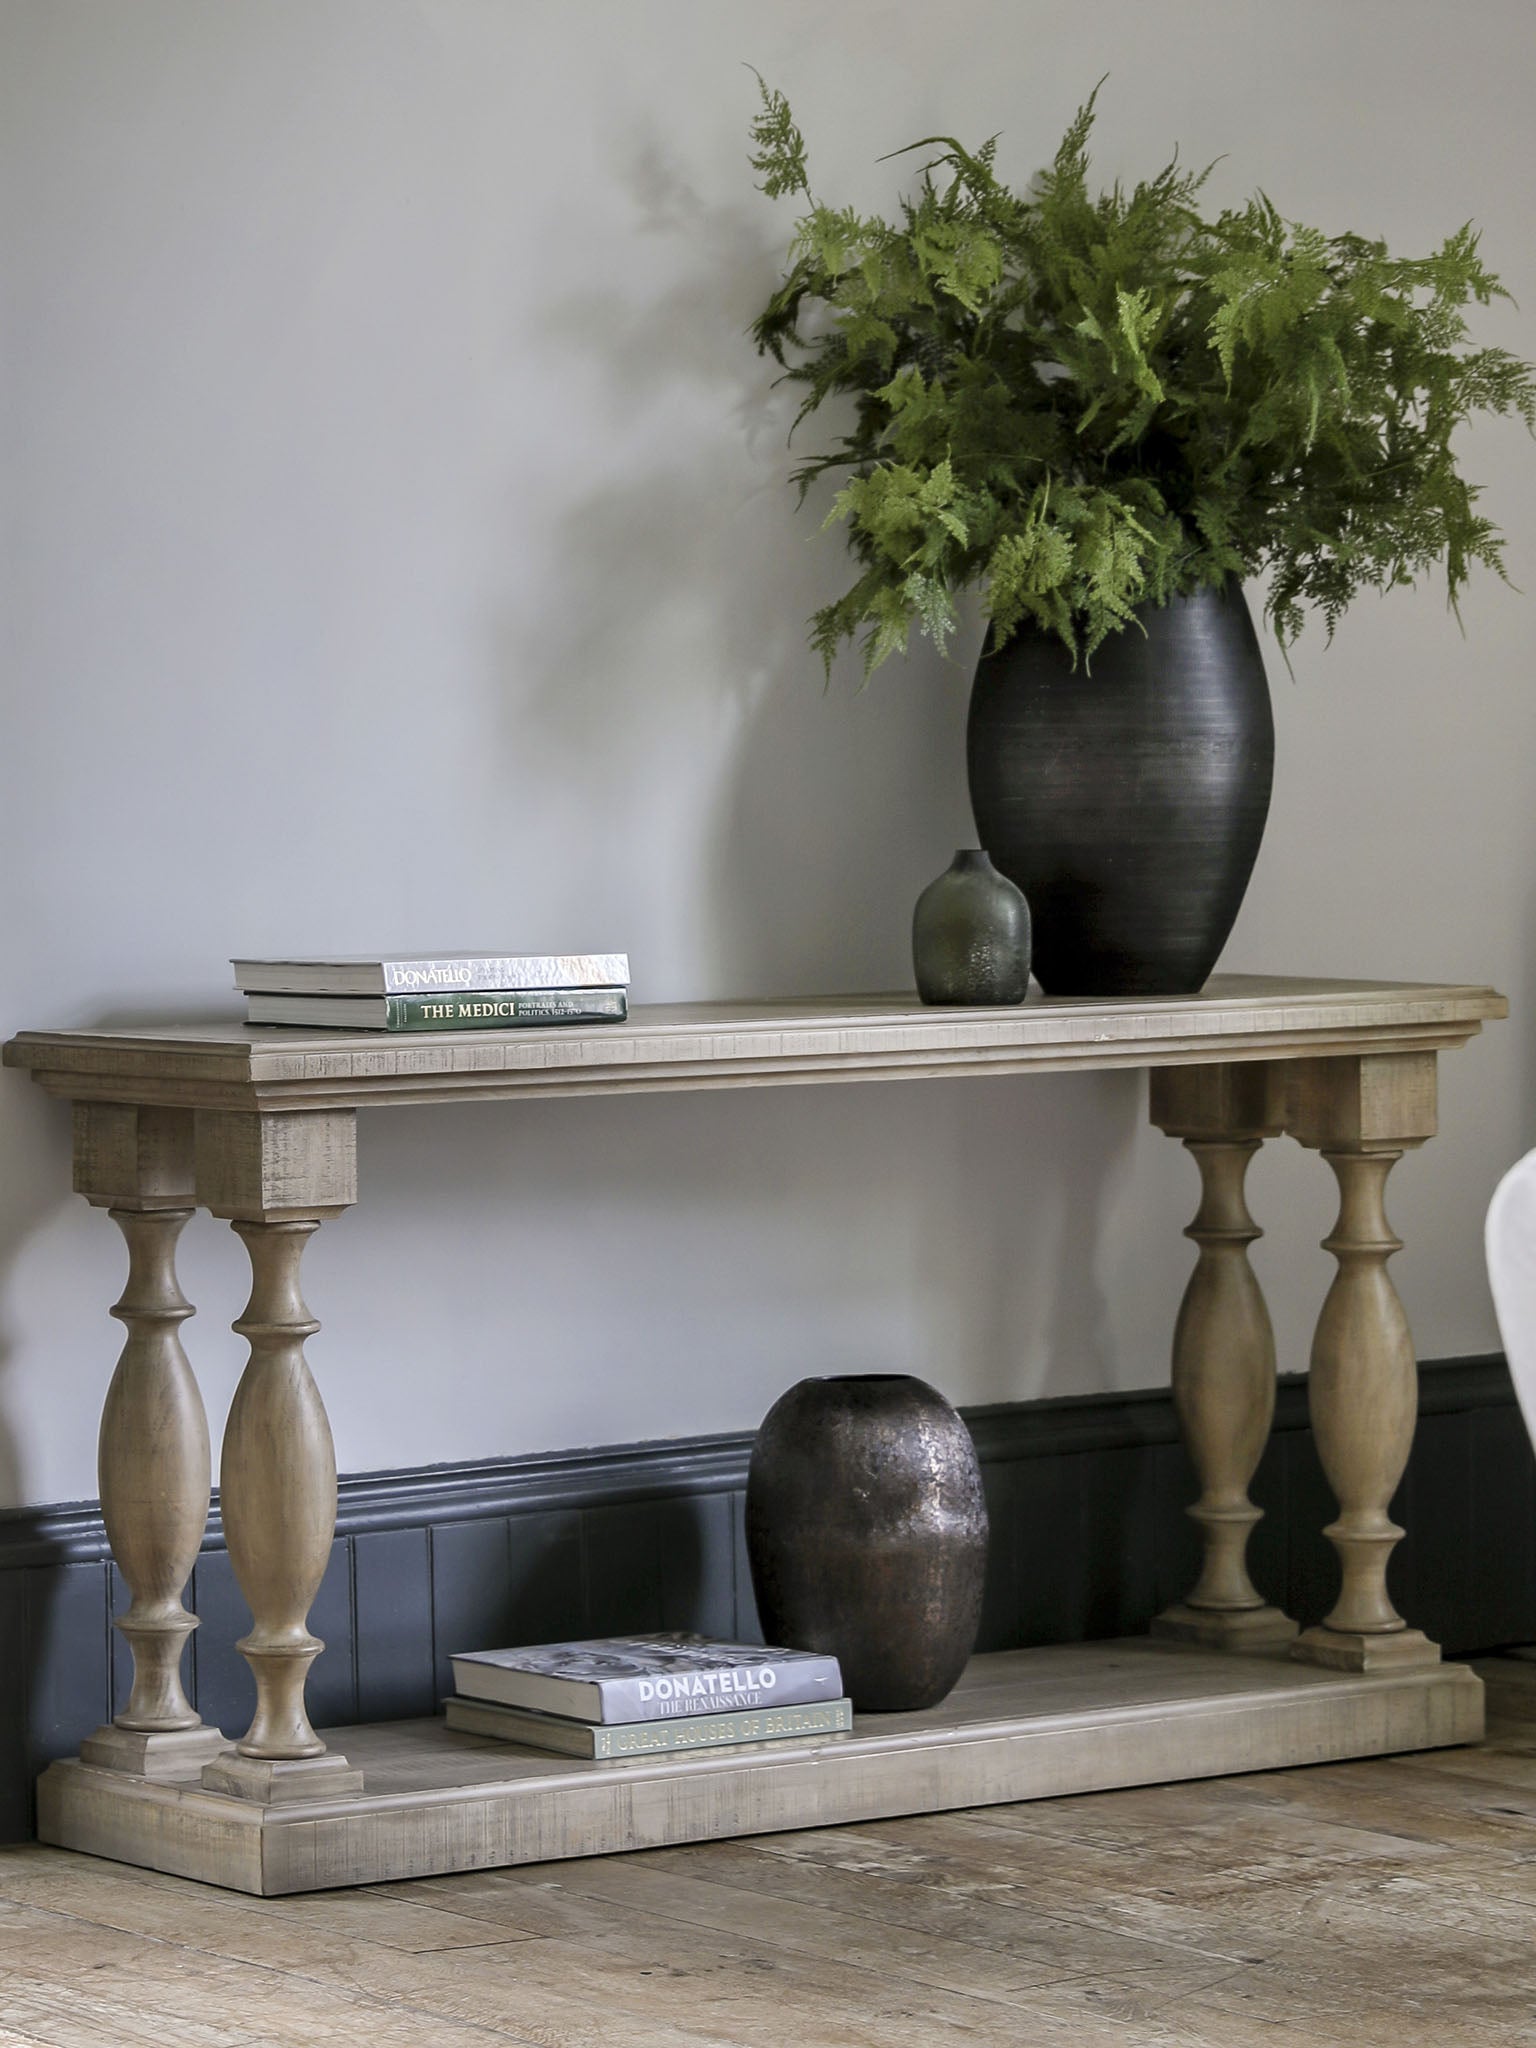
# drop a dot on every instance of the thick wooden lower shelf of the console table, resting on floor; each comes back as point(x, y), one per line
point(1021, 1725)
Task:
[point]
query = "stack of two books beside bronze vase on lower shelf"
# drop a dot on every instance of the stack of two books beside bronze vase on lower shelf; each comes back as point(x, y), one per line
point(636, 1697)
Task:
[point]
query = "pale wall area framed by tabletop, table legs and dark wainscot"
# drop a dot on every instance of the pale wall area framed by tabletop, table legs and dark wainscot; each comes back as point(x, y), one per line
point(742, 1240)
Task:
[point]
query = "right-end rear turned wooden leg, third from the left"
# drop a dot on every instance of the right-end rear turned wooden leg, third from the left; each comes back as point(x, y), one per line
point(1224, 1351)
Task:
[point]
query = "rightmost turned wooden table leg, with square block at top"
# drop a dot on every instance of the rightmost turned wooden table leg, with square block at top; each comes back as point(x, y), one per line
point(1363, 1115)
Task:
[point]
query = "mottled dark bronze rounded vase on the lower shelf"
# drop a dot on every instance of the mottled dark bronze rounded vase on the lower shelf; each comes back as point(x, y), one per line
point(867, 1535)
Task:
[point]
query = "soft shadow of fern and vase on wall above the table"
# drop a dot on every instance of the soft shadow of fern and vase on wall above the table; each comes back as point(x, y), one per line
point(665, 681)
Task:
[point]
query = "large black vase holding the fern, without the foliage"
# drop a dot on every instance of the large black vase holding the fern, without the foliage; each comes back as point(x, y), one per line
point(1127, 798)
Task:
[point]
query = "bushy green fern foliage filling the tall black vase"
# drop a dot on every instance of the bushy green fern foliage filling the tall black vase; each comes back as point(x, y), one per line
point(1082, 404)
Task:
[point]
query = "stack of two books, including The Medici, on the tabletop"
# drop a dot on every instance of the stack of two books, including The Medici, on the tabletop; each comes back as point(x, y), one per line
point(439, 992)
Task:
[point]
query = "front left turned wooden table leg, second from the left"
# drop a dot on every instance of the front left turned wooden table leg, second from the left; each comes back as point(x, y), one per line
point(278, 1179)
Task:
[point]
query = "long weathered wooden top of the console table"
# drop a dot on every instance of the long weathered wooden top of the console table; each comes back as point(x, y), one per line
point(749, 1046)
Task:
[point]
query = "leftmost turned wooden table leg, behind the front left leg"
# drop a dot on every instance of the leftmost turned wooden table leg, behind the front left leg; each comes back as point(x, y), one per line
point(155, 1437)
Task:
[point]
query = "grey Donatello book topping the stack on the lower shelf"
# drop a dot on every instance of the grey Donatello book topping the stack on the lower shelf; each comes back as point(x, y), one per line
point(646, 1678)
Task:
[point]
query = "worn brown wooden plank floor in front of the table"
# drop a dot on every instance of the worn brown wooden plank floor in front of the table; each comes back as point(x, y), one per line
point(1355, 1904)
